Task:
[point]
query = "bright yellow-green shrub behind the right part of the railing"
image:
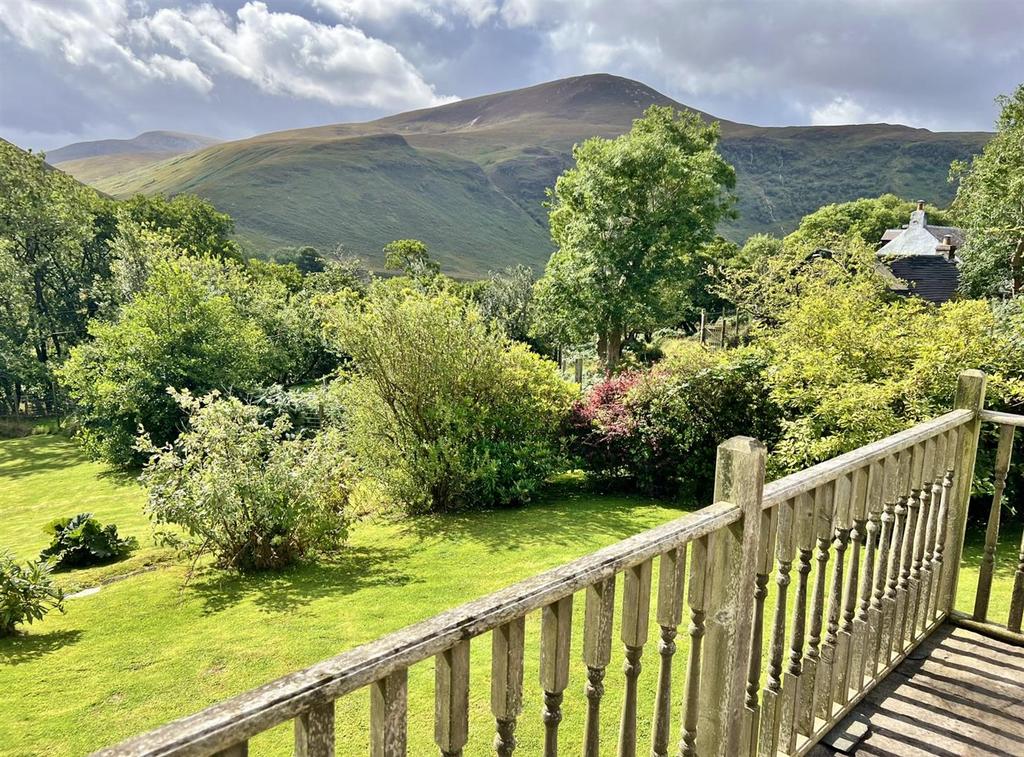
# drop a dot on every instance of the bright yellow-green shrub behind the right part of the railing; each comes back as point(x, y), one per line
point(848, 368)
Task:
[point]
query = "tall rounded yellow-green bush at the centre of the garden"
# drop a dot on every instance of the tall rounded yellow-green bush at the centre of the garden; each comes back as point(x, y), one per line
point(444, 412)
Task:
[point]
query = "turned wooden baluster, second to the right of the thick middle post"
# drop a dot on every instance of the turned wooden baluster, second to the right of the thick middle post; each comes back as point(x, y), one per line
point(772, 706)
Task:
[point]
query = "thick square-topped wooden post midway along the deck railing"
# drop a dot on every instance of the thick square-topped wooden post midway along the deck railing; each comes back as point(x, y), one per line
point(732, 565)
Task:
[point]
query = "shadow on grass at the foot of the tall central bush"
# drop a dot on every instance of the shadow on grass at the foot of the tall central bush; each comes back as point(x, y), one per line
point(571, 517)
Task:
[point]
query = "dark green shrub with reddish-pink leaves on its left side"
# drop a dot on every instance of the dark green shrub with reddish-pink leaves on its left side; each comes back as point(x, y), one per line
point(659, 430)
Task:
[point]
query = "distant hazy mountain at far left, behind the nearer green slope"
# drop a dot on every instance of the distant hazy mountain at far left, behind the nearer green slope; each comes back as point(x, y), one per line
point(94, 161)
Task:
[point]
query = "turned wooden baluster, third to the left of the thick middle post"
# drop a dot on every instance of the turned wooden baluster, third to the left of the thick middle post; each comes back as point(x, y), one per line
point(636, 619)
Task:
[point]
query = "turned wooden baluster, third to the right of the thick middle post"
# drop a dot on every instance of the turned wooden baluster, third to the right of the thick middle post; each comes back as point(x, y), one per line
point(804, 528)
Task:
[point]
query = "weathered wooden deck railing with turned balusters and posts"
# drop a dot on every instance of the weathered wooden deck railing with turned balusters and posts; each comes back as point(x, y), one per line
point(865, 553)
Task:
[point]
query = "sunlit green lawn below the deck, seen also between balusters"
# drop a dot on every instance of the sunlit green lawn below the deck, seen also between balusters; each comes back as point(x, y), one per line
point(146, 650)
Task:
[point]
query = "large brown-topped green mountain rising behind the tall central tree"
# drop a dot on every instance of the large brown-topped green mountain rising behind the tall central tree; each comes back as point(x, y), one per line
point(470, 178)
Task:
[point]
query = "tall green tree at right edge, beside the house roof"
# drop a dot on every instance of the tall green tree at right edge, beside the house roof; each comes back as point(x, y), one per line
point(990, 206)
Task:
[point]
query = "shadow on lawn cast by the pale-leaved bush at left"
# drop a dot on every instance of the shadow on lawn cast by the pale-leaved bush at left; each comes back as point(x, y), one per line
point(356, 569)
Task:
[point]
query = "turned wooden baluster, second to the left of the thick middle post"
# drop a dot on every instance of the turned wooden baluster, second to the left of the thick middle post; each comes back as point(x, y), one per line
point(671, 585)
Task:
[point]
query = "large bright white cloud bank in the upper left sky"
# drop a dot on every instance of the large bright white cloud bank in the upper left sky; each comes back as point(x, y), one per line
point(280, 54)
